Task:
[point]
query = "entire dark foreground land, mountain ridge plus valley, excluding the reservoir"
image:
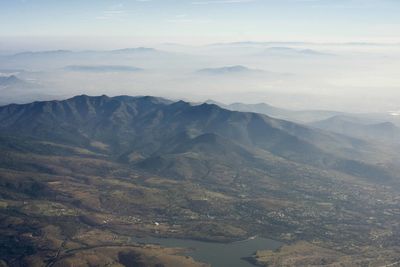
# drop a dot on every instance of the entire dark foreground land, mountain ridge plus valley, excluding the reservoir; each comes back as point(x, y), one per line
point(79, 177)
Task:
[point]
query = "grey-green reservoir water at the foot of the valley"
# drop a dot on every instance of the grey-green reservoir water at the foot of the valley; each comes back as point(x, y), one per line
point(217, 254)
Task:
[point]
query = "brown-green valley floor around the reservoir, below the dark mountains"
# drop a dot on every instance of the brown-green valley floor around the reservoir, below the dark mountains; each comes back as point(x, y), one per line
point(81, 210)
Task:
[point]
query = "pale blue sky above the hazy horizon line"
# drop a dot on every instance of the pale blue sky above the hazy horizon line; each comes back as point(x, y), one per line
point(198, 21)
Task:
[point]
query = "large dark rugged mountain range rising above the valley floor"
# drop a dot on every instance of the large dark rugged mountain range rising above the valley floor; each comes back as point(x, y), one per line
point(159, 133)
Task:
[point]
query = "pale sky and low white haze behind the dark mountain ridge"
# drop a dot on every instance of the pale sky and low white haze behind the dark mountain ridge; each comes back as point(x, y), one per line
point(334, 51)
